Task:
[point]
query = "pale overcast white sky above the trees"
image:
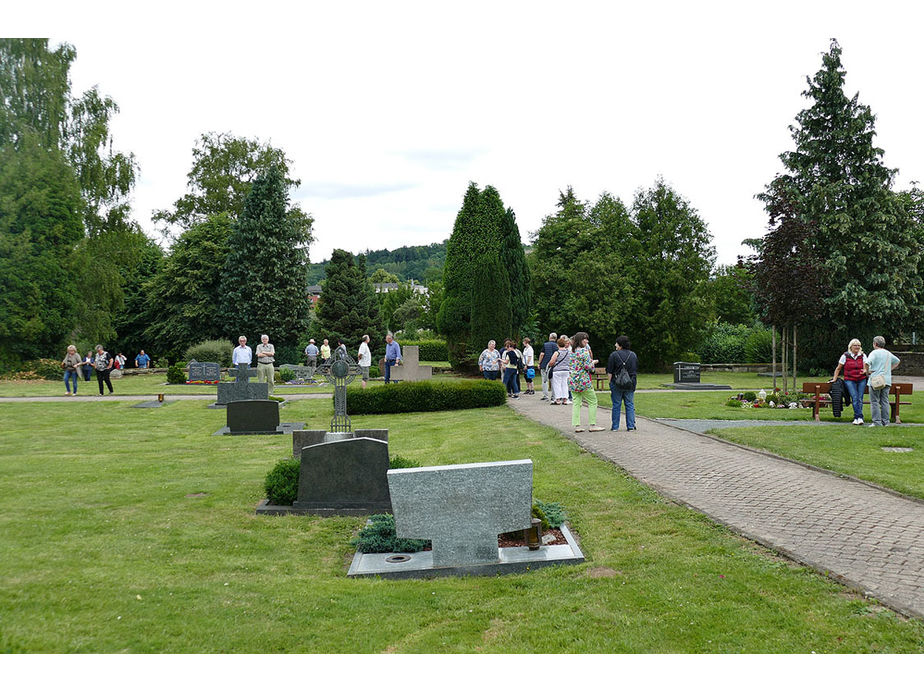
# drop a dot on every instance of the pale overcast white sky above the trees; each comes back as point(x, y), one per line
point(389, 109)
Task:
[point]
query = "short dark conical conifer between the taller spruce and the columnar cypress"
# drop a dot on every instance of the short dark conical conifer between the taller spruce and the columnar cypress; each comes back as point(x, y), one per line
point(348, 307)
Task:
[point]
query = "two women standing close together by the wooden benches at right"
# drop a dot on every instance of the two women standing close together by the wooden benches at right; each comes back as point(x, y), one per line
point(874, 370)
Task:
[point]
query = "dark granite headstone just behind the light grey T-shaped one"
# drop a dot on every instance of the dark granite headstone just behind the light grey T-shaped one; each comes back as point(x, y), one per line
point(345, 474)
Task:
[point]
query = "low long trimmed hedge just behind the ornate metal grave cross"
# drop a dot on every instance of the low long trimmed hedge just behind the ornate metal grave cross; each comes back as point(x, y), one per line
point(427, 395)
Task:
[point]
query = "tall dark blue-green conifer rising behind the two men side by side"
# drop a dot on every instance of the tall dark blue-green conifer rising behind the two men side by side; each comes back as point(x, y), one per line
point(263, 287)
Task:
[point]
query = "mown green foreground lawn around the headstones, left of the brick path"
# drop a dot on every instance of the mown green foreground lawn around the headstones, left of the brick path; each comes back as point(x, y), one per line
point(104, 550)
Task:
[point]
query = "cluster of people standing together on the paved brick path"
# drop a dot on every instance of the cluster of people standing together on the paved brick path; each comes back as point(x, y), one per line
point(566, 366)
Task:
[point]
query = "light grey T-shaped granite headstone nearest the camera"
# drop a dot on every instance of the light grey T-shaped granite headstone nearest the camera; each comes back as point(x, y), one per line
point(462, 508)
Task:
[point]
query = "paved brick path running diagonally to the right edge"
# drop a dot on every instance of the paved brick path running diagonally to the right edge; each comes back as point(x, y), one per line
point(862, 536)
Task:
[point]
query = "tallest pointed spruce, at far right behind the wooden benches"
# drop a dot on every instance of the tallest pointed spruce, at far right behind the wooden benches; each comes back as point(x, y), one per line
point(837, 188)
